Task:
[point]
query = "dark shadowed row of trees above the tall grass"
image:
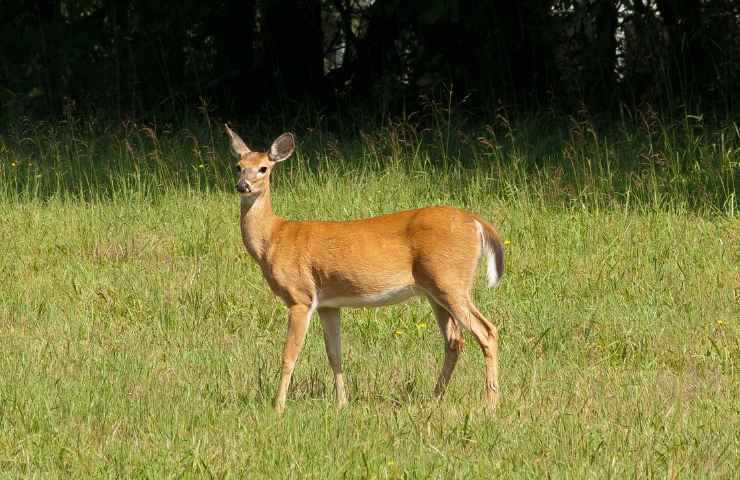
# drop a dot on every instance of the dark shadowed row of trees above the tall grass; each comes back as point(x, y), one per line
point(131, 57)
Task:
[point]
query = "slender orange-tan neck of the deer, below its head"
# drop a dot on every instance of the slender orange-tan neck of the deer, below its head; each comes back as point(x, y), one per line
point(258, 222)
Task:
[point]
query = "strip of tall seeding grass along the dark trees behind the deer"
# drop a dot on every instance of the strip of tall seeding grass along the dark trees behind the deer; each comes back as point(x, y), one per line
point(641, 161)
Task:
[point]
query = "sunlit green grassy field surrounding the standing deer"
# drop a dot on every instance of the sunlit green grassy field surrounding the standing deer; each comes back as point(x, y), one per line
point(139, 339)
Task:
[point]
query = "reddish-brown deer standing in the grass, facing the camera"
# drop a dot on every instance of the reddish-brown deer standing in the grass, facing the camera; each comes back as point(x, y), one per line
point(324, 266)
